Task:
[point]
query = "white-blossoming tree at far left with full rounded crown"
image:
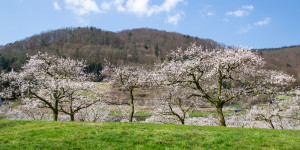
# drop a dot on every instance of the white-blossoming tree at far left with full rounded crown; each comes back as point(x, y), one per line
point(47, 80)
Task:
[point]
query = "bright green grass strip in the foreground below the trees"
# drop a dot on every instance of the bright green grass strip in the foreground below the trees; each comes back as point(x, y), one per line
point(88, 135)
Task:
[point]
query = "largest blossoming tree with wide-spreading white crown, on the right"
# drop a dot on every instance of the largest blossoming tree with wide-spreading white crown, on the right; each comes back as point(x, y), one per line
point(219, 76)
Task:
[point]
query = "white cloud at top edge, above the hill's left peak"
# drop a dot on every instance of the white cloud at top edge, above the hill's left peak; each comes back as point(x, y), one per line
point(82, 7)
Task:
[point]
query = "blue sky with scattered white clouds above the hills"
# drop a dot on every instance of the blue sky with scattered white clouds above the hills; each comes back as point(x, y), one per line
point(252, 23)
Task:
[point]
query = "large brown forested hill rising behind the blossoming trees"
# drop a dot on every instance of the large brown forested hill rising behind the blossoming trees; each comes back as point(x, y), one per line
point(138, 46)
